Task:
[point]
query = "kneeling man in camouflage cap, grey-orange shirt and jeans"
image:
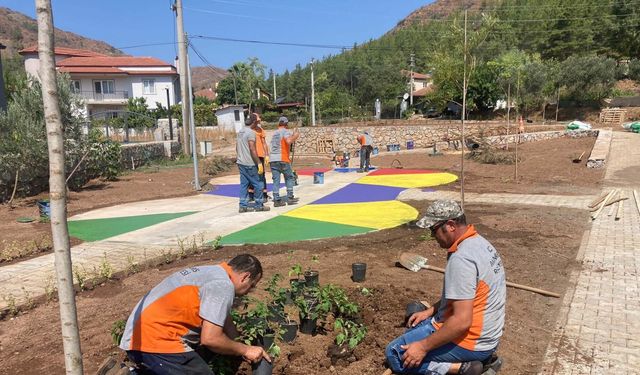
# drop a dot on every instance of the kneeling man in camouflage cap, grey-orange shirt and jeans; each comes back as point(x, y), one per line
point(462, 330)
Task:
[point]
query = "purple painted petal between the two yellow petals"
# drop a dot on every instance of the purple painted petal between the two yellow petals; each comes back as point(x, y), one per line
point(356, 193)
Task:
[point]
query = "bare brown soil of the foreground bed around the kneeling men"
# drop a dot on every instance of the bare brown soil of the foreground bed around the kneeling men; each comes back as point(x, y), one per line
point(535, 250)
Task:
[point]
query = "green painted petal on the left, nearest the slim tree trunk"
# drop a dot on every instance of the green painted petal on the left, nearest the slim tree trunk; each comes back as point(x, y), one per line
point(99, 229)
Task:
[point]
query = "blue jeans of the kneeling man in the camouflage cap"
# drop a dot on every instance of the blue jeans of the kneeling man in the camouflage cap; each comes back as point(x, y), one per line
point(437, 361)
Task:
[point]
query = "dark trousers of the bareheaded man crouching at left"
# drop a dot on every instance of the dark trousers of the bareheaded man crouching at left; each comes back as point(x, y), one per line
point(169, 364)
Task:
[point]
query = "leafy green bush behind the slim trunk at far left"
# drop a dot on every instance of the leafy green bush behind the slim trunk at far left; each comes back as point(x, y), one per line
point(24, 149)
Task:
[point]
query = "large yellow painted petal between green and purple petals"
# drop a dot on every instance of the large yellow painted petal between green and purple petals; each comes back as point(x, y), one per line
point(375, 215)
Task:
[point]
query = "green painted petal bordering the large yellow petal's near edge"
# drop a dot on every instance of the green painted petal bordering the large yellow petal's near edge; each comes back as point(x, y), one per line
point(282, 229)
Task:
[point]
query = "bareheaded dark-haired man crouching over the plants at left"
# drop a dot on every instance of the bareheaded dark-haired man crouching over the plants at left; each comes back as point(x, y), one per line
point(189, 309)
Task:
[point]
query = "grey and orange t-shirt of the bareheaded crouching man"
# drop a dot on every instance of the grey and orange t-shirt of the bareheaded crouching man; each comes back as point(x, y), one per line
point(168, 319)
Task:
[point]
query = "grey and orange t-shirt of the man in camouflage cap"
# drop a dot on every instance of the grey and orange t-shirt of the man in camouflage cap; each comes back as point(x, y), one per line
point(475, 272)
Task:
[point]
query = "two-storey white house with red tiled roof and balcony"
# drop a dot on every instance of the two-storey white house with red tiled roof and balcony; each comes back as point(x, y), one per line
point(107, 82)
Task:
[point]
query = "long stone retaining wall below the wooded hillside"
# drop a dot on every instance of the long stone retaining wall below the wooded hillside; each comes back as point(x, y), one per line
point(326, 140)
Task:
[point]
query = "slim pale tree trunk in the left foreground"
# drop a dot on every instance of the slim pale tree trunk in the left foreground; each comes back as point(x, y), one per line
point(57, 190)
